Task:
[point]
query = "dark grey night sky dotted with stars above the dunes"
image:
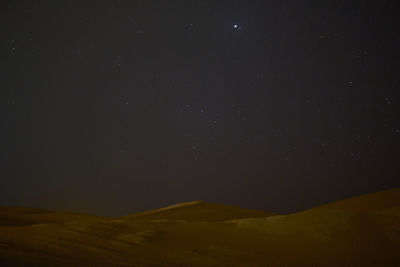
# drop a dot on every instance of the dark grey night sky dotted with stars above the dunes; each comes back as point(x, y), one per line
point(115, 107)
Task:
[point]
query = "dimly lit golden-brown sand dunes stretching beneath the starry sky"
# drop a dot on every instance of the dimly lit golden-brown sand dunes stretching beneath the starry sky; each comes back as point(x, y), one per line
point(362, 231)
